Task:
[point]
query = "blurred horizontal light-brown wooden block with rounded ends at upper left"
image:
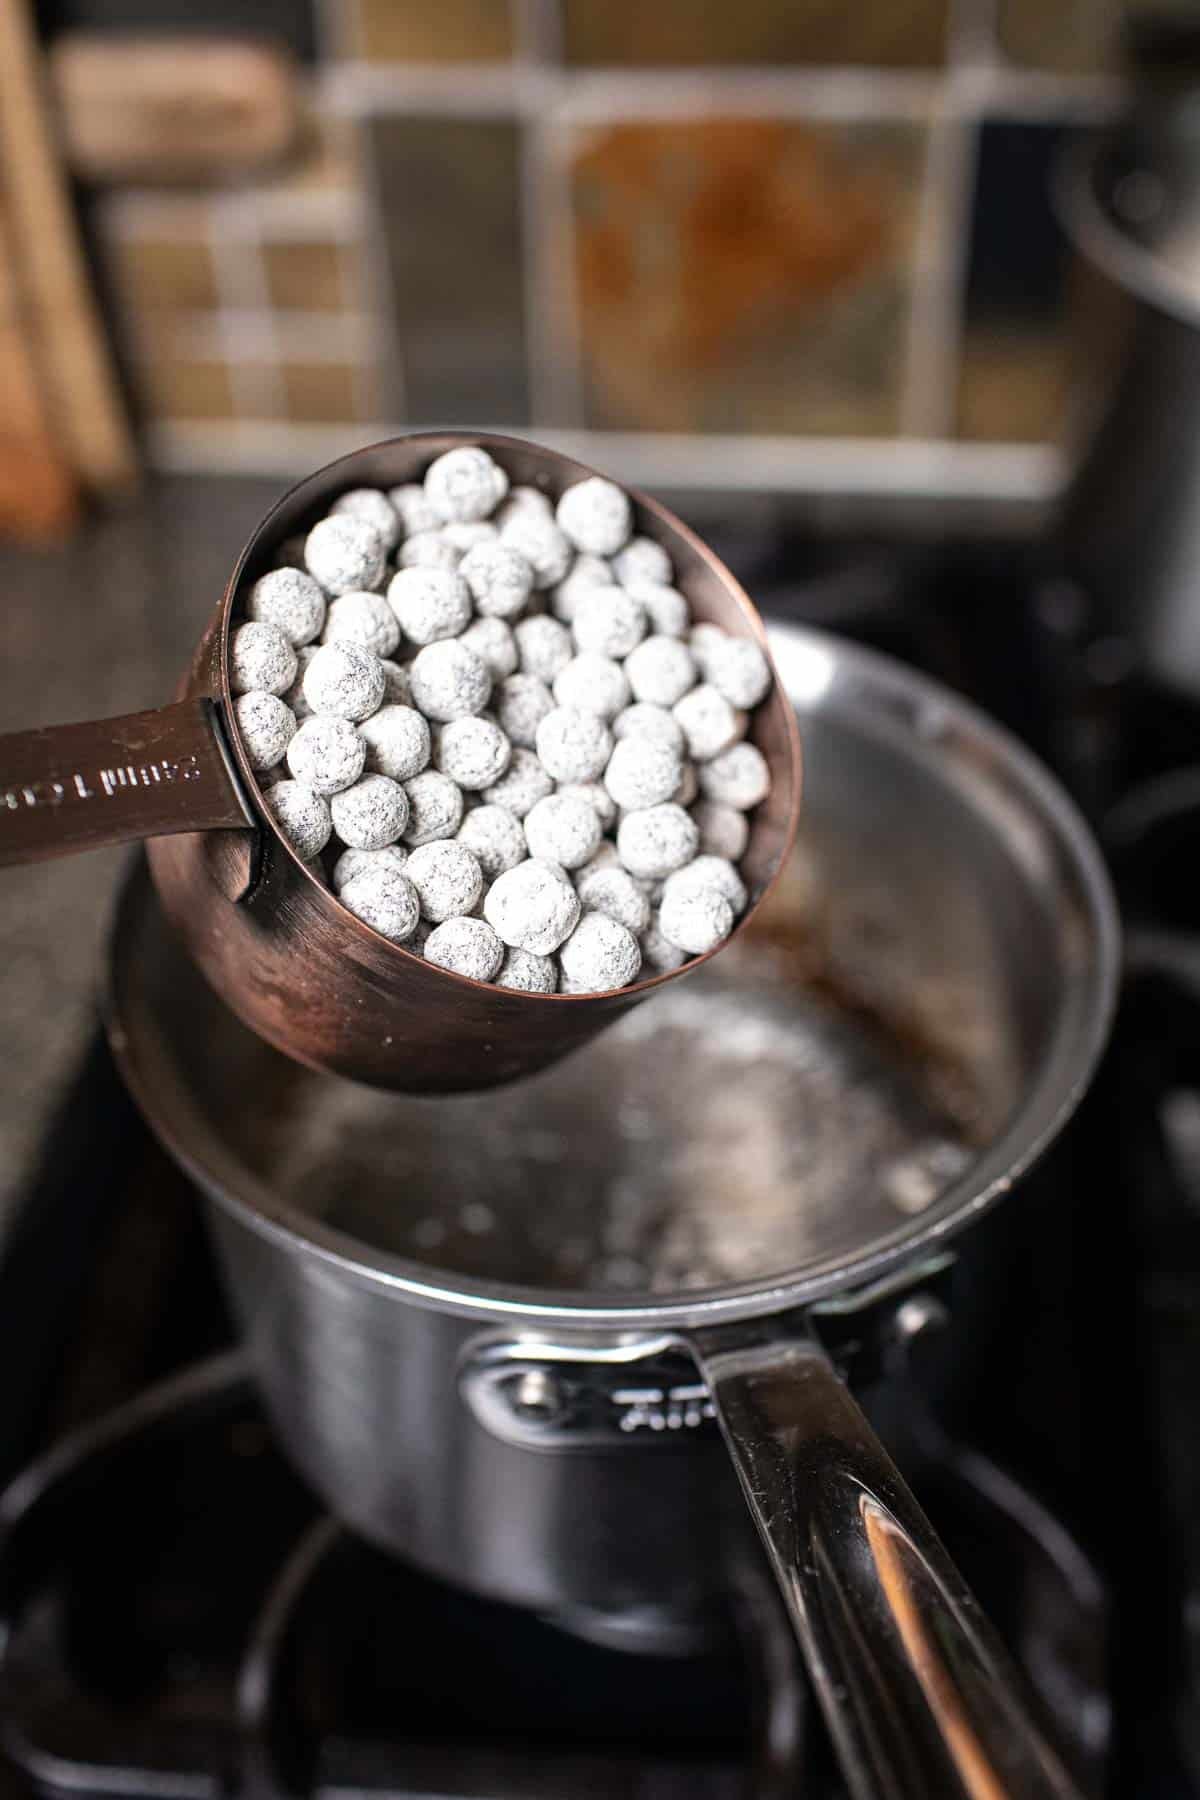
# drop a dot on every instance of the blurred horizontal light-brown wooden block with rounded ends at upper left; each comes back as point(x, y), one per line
point(172, 109)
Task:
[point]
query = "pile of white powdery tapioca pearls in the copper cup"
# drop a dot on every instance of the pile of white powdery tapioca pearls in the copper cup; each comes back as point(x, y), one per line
point(497, 724)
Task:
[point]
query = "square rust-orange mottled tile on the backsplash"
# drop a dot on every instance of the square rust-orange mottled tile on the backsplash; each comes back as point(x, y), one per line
point(746, 276)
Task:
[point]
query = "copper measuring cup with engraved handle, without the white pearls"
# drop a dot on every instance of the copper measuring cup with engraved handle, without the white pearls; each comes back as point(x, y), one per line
point(280, 949)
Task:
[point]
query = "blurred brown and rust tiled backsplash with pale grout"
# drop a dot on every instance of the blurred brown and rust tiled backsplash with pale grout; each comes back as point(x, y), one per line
point(776, 244)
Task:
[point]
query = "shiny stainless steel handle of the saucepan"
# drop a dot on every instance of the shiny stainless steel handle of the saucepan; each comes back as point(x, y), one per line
point(915, 1686)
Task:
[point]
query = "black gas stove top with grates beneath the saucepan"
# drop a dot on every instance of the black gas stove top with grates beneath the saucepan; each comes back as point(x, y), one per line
point(181, 1619)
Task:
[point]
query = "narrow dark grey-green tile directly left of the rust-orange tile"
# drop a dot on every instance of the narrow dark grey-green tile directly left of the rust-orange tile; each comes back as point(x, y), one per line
point(449, 193)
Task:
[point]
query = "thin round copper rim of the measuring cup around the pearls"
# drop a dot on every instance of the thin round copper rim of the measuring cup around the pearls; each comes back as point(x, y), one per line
point(339, 476)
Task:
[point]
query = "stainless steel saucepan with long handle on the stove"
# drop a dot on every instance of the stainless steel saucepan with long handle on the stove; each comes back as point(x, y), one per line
point(505, 1335)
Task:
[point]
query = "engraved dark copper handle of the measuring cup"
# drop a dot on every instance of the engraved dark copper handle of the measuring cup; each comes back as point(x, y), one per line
point(111, 780)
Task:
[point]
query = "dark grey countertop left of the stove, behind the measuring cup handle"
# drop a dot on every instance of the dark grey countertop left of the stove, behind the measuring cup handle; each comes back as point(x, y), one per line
point(102, 625)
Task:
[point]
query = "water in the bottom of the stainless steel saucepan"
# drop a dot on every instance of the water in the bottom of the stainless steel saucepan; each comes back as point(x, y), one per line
point(715, 1135)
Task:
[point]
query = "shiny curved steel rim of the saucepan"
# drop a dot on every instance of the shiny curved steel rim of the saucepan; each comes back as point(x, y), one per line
point(884, 696)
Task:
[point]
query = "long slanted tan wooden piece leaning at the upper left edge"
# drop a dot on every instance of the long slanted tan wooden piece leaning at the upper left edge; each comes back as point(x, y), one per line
point(49, 274)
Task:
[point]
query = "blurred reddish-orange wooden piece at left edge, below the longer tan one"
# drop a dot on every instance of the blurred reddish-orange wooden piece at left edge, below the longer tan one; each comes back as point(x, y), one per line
point(39, 494)
